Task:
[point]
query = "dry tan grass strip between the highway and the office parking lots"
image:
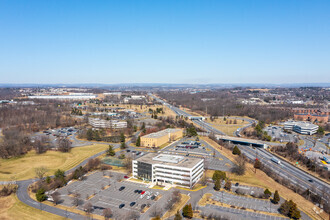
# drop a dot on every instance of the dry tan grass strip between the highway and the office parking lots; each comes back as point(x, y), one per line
point(262, 180)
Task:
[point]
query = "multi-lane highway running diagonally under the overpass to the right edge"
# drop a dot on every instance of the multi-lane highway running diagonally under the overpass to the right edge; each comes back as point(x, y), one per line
point(285, 169)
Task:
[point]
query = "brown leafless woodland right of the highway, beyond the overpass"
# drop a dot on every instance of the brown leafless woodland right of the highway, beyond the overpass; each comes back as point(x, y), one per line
point(225, 102)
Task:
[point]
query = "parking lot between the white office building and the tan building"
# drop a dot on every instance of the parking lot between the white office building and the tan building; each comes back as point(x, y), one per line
point(213, 159)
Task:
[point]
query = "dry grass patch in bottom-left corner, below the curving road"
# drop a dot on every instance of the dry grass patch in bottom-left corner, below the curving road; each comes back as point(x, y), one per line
point(11, 208)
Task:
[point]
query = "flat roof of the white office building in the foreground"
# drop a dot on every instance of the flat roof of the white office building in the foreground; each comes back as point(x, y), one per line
point(170, 160)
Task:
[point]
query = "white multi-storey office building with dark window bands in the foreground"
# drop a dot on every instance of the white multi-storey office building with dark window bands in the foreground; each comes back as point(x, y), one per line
point(172, 169)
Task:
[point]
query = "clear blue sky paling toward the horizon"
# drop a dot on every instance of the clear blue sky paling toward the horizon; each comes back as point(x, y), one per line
point(169, 41)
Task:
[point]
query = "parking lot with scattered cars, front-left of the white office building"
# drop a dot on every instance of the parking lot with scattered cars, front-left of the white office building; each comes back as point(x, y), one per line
point(110, 191)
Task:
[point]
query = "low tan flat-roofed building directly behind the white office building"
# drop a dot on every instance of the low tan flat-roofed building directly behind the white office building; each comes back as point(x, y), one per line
point(161, 137)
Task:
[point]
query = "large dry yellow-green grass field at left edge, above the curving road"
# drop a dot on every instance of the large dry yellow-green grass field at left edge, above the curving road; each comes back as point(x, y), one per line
point(23, 167)
